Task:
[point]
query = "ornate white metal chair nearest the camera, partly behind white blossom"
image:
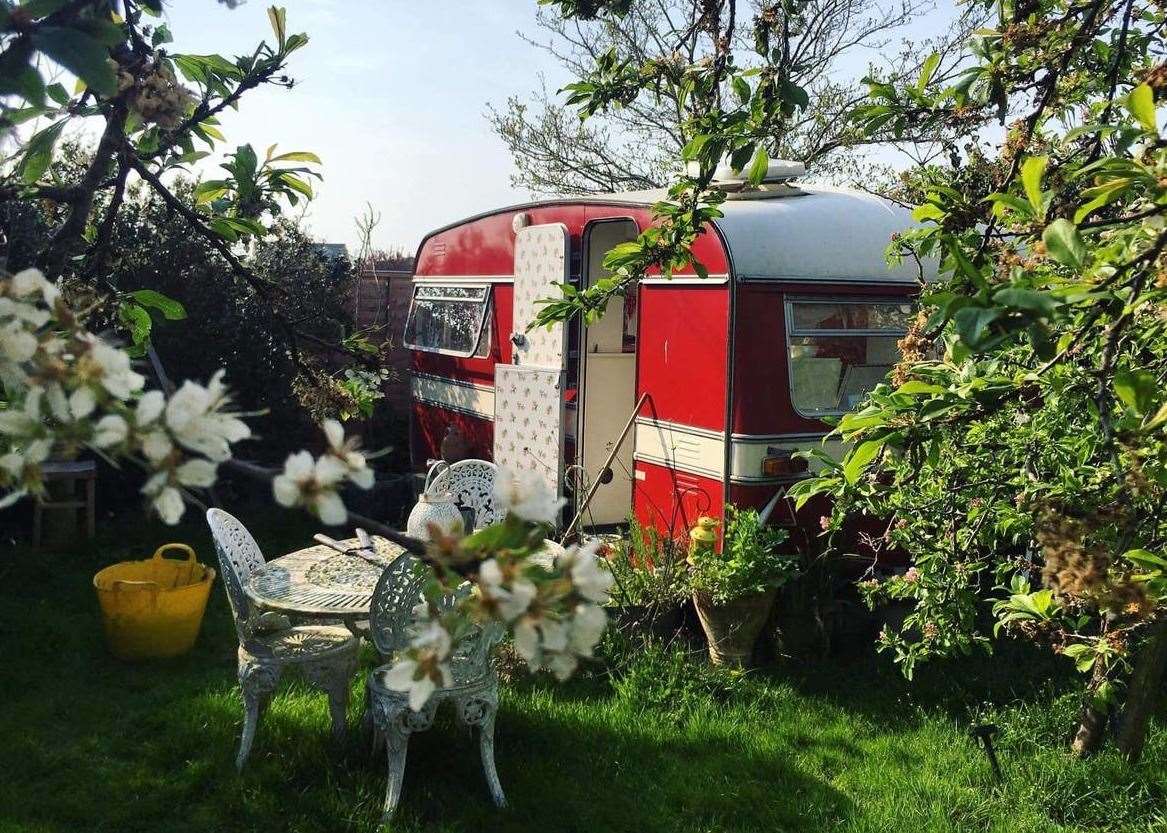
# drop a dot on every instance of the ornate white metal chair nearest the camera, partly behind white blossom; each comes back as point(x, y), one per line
point(474, 691)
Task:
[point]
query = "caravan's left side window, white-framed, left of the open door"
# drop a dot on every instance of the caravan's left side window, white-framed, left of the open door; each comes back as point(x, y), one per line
point(450, 320)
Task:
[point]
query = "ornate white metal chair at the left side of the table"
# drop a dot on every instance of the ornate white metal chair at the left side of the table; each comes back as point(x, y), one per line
point(325, 655)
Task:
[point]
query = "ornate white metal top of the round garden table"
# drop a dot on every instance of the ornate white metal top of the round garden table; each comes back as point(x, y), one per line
point(320, 582)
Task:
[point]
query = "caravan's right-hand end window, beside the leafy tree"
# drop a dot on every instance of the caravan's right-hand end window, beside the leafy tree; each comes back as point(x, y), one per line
point(840, 351)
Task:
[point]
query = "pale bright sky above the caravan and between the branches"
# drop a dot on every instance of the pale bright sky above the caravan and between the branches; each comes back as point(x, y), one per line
point(393, 96)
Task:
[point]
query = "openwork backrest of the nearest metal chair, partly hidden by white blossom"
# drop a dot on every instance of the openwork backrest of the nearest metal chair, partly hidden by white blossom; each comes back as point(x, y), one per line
point(392, 618)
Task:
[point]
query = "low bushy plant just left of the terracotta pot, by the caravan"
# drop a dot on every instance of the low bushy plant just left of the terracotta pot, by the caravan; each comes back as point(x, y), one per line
point(651, 584)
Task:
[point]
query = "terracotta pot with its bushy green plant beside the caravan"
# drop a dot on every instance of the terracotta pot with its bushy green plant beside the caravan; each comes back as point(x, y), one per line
point(735, 590)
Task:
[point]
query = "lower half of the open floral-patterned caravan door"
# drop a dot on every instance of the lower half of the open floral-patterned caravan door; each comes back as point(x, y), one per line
point(529, 424)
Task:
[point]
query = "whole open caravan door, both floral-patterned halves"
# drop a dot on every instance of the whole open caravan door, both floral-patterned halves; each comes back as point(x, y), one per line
point(529, 394)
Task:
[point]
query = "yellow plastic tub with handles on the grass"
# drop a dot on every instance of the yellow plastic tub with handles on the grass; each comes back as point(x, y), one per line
point(153, 610)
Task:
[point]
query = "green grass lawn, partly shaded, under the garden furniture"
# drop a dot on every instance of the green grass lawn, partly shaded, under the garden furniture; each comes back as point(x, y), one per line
point(660, 744)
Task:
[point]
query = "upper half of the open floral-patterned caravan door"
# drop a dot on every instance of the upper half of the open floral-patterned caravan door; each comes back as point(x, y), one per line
point(541, 262)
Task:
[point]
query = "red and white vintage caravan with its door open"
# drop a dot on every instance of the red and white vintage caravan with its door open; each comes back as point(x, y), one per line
point(799, 318)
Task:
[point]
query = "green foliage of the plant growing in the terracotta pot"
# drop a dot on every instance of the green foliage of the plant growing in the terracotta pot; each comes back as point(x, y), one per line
point(751, 561)
